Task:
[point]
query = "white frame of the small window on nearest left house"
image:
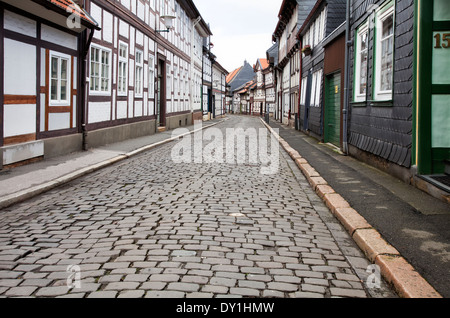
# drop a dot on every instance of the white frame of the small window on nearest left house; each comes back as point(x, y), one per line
point(60, 57)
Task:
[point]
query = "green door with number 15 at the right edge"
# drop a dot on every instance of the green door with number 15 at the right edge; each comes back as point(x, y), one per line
point(432, 86)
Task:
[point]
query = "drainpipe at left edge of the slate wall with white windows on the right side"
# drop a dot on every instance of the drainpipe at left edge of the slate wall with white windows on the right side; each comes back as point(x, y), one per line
point(347, 81)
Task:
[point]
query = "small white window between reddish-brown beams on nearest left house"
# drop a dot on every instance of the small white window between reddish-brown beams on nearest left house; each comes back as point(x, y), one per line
point(60, 72)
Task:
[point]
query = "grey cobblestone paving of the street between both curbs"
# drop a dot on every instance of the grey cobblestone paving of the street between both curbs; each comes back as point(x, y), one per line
point(151, 228)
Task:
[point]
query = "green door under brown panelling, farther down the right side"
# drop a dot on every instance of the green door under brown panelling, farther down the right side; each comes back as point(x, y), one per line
point(333, 109)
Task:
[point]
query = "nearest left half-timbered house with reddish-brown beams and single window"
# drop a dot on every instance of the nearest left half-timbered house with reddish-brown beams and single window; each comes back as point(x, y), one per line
point(42, 58)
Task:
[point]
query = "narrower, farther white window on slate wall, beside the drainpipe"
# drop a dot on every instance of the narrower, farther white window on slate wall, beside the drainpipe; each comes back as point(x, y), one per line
point(362, 50)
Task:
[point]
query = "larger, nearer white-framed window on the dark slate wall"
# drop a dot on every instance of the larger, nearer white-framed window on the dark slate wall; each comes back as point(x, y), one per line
point(384, 57)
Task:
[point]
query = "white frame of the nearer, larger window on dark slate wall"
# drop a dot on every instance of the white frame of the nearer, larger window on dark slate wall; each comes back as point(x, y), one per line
point(381, 16)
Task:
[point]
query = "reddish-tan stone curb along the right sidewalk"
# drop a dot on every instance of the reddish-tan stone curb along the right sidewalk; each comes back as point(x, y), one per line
point(407, 282)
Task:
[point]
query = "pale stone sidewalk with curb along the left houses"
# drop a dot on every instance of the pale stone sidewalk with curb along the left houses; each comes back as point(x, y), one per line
point(27, 181)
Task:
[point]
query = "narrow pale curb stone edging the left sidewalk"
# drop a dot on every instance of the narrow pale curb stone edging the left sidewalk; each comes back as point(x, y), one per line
point(29, 193)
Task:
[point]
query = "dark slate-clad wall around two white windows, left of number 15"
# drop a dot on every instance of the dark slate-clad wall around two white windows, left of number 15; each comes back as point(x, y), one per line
point(384, 129)
